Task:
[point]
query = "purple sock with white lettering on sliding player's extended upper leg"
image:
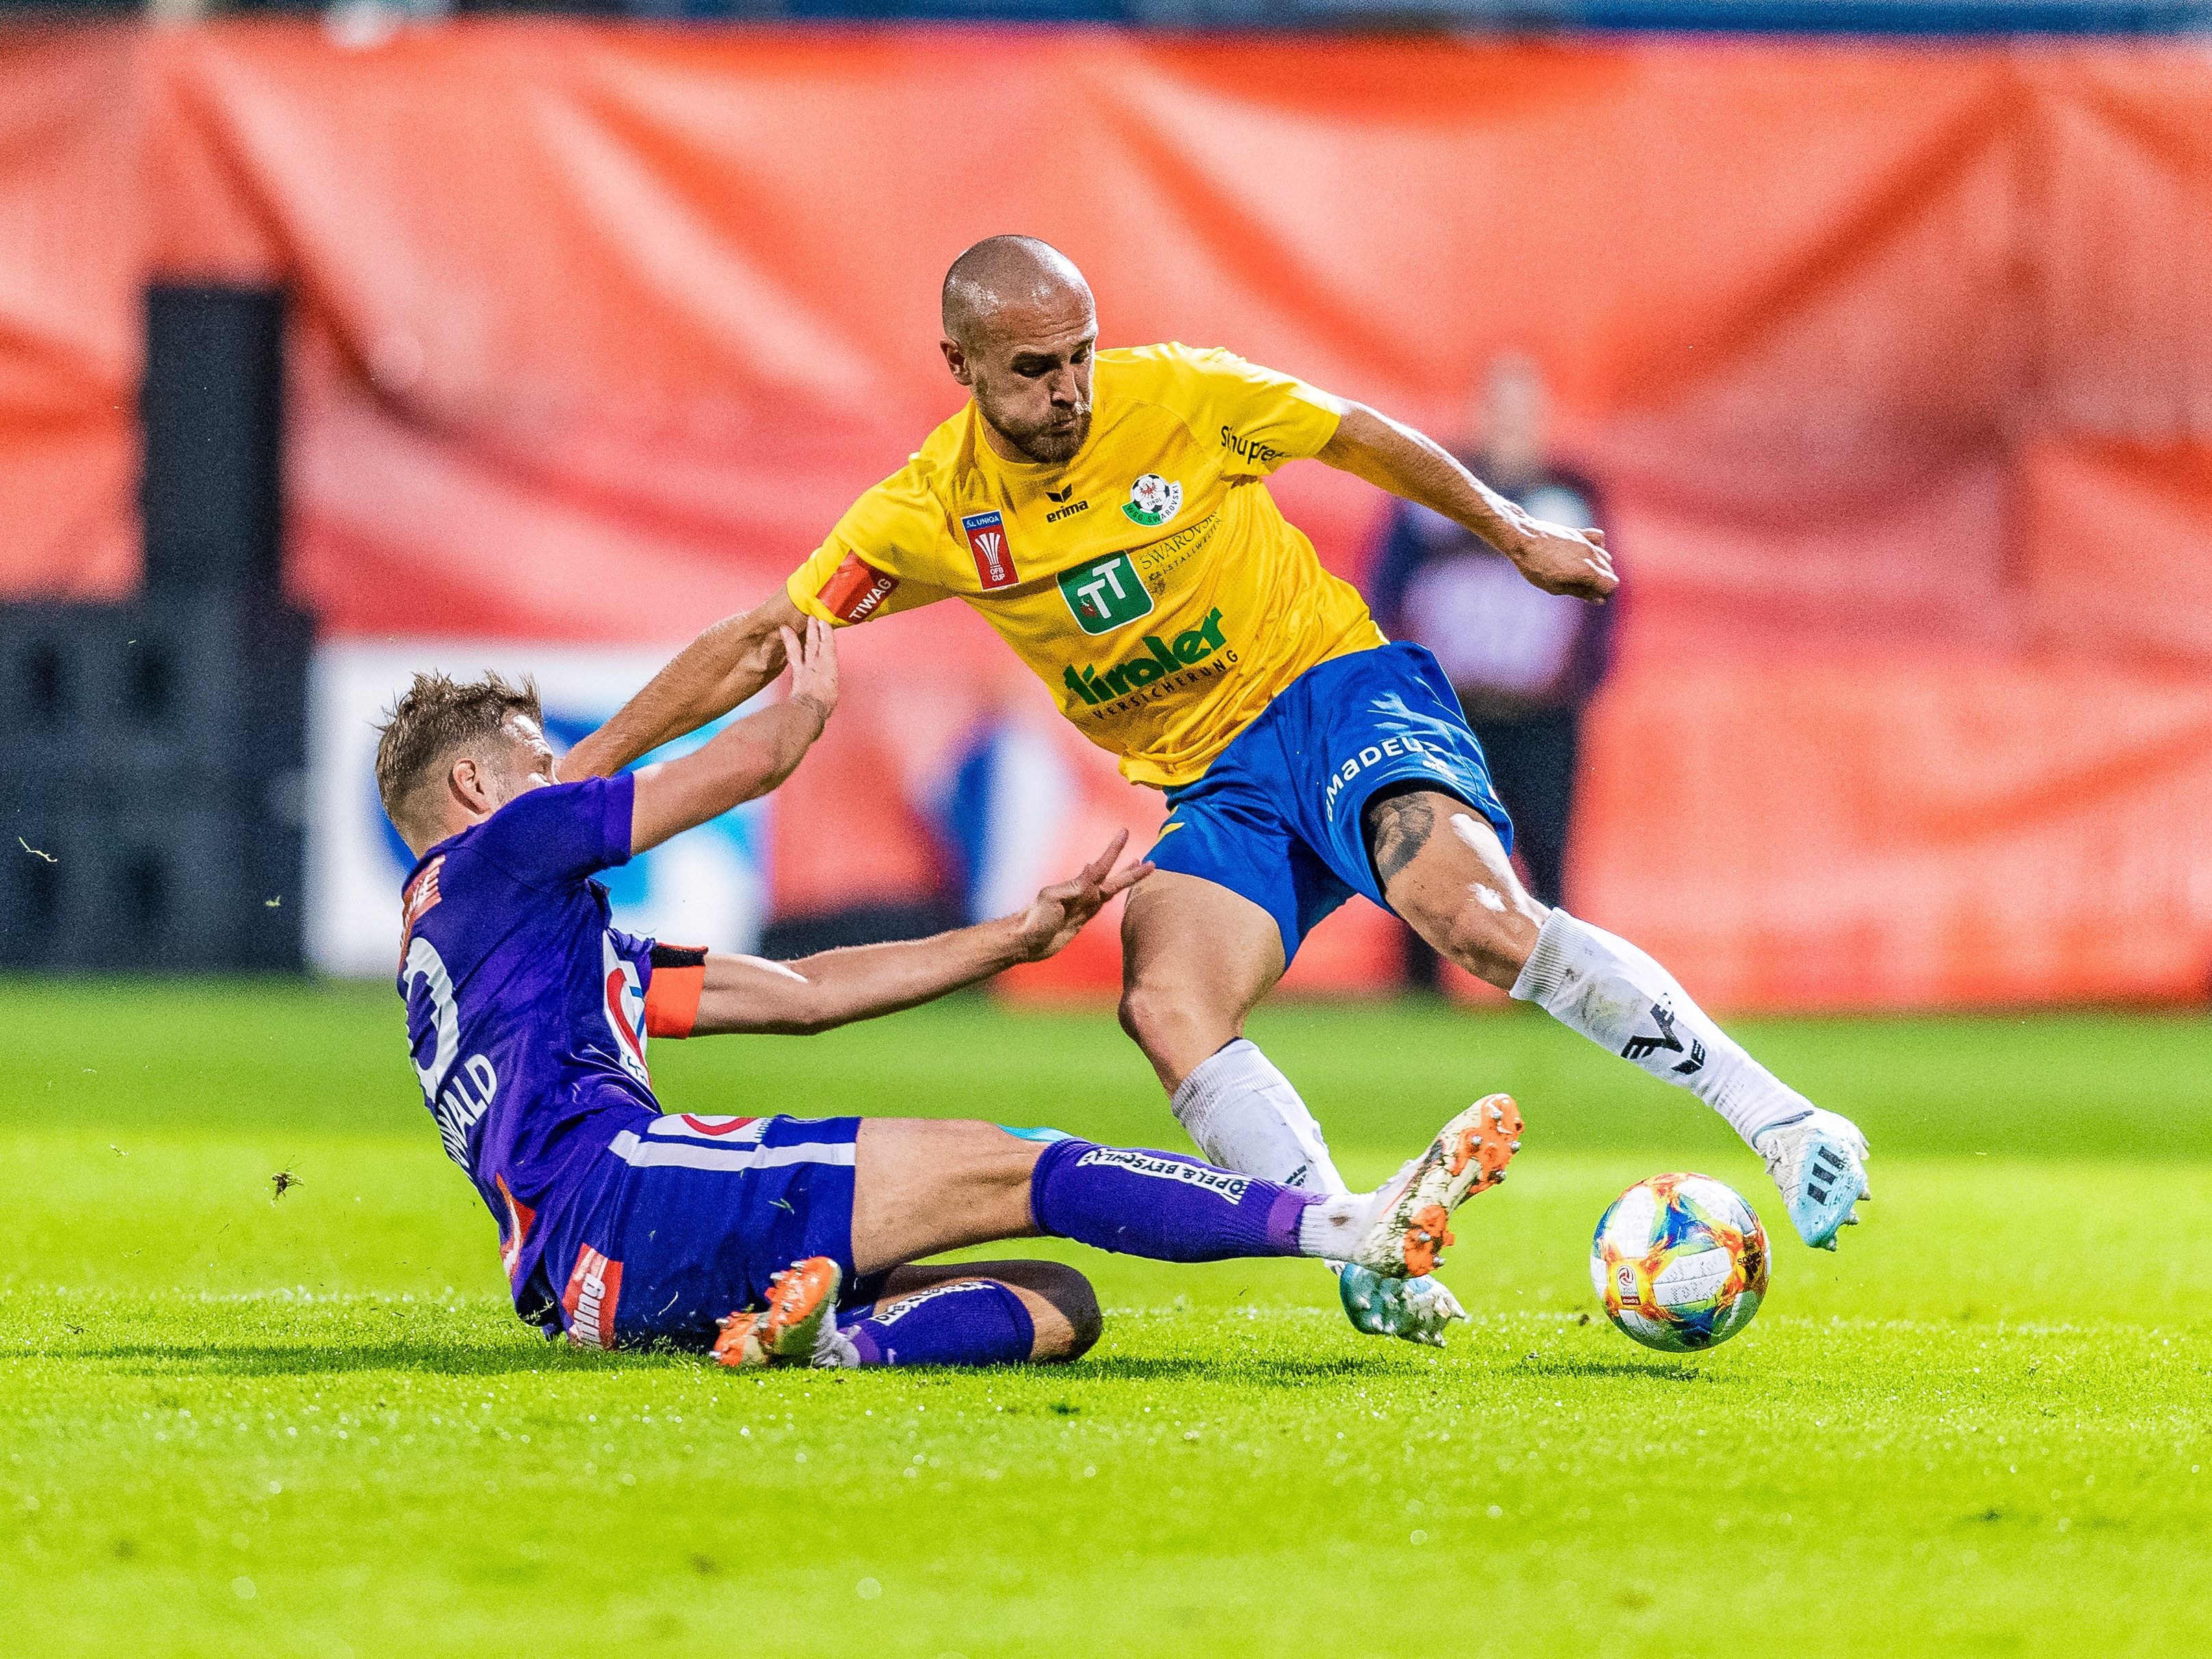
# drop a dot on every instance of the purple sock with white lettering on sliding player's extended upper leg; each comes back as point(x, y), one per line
point(1162, 1204)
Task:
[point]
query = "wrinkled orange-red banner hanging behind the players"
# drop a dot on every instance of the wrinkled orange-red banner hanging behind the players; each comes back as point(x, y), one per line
point(1897, 366)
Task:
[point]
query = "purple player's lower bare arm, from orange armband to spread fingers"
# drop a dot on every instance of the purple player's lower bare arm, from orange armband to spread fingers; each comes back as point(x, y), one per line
point(839, 988)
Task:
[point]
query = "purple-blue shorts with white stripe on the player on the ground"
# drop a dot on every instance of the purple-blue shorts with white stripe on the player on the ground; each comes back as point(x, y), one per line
point(691, 1215)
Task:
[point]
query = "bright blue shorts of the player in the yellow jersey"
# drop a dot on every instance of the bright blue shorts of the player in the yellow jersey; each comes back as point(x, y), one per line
point(1277, 815)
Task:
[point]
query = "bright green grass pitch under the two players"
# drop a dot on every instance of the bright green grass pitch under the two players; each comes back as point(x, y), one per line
point(309, 1426)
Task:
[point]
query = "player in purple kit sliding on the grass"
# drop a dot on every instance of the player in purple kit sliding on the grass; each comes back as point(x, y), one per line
point(773, 1240)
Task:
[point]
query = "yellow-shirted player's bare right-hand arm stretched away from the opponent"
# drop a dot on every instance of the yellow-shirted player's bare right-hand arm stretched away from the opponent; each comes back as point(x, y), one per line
point(1421, 470)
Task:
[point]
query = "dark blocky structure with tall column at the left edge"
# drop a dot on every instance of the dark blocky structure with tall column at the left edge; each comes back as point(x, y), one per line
point(154, 758)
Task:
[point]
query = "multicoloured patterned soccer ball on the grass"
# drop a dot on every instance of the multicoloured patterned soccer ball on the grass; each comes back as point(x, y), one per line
point(1680, 1262)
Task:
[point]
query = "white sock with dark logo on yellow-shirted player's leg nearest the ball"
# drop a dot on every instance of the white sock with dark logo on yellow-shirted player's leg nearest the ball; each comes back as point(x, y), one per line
point(1616, 997)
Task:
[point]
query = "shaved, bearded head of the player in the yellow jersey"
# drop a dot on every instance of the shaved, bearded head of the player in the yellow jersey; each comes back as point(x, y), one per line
point(1019, 335)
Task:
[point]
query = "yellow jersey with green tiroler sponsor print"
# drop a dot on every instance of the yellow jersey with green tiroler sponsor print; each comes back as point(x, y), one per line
point(1151, 581)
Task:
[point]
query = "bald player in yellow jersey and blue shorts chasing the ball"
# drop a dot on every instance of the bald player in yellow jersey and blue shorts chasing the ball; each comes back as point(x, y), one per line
point(1107, 514)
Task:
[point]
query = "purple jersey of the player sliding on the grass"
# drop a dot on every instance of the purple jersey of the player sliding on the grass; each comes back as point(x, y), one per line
point(528, 1008)
